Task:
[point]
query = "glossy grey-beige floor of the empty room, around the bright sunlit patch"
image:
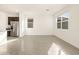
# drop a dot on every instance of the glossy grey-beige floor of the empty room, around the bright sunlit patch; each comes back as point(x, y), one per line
point(36, 45)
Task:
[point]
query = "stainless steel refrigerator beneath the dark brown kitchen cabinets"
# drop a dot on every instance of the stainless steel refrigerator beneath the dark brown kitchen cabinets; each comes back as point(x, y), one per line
point(15, 28)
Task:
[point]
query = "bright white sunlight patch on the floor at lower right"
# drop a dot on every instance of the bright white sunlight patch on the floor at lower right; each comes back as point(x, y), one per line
point(55, 50)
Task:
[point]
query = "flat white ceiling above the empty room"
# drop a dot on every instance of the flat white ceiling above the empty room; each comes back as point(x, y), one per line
point(43, 8)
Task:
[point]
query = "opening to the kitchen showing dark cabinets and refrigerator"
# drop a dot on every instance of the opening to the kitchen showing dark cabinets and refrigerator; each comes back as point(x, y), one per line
point(13, 27)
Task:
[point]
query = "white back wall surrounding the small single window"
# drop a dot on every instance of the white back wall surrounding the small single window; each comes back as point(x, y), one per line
point(43, 23)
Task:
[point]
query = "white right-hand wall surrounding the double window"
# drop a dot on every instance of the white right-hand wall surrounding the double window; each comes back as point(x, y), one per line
point(72, 34)
